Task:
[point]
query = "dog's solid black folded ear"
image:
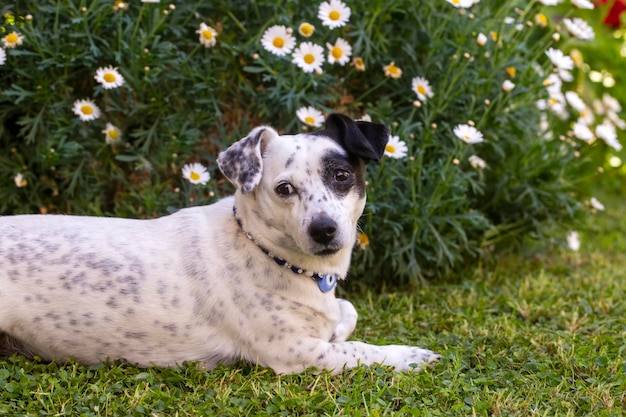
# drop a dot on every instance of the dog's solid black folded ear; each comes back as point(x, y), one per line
point(363, 139)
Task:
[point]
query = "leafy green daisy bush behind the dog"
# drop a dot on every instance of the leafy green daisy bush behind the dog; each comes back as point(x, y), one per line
point(429, 212)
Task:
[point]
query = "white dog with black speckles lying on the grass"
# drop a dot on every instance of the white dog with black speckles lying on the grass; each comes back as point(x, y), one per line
point(251, 277)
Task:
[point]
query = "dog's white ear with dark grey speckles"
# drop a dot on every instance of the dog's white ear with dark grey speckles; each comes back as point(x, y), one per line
point(242, 162)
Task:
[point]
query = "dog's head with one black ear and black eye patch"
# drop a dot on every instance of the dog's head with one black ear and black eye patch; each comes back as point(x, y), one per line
point(301, 196)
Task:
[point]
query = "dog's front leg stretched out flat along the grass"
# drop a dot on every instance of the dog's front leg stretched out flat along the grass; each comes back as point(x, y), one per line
point(335, 357)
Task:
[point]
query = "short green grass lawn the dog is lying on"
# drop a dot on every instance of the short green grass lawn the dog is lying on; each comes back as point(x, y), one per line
point(542, 335)
